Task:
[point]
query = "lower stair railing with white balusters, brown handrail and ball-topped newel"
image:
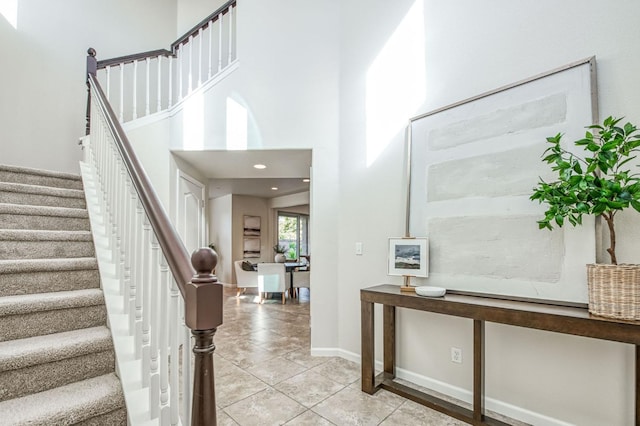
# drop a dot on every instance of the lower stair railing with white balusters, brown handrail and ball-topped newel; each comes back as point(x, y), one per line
point(154, 270)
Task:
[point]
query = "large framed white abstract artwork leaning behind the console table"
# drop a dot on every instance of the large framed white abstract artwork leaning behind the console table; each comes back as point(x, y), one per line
point(471, 169)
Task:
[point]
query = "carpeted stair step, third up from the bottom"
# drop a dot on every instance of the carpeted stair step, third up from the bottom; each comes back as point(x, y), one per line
point(24, 316)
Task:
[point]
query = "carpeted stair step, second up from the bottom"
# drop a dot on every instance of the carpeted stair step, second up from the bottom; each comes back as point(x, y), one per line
point(40, 363)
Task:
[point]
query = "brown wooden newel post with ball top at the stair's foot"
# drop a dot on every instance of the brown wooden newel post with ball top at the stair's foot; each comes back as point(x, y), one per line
point(203, 315)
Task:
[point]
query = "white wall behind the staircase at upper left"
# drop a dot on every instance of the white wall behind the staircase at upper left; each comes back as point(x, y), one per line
point(42, 107)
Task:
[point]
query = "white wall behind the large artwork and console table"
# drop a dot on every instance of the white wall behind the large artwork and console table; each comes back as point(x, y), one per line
point(469, 48)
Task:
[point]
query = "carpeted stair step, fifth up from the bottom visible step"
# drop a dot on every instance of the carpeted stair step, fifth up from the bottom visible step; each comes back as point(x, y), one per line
point(28, 244)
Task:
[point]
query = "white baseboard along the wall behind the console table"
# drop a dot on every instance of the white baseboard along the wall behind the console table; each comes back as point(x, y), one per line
point(456, 392)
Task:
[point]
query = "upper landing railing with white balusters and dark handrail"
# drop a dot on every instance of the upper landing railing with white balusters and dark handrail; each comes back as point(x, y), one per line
point(150, 82)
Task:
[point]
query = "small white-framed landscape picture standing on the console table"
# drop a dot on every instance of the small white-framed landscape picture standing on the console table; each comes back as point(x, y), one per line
point(409, 257)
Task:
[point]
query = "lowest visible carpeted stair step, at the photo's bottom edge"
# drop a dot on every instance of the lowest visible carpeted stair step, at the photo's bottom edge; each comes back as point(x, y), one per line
point(95, 401)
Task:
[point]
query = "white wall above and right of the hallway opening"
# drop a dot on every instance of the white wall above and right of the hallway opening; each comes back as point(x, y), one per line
point(287, 83)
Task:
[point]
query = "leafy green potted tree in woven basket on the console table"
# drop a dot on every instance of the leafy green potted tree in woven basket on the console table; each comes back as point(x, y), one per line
point(600, 184)
